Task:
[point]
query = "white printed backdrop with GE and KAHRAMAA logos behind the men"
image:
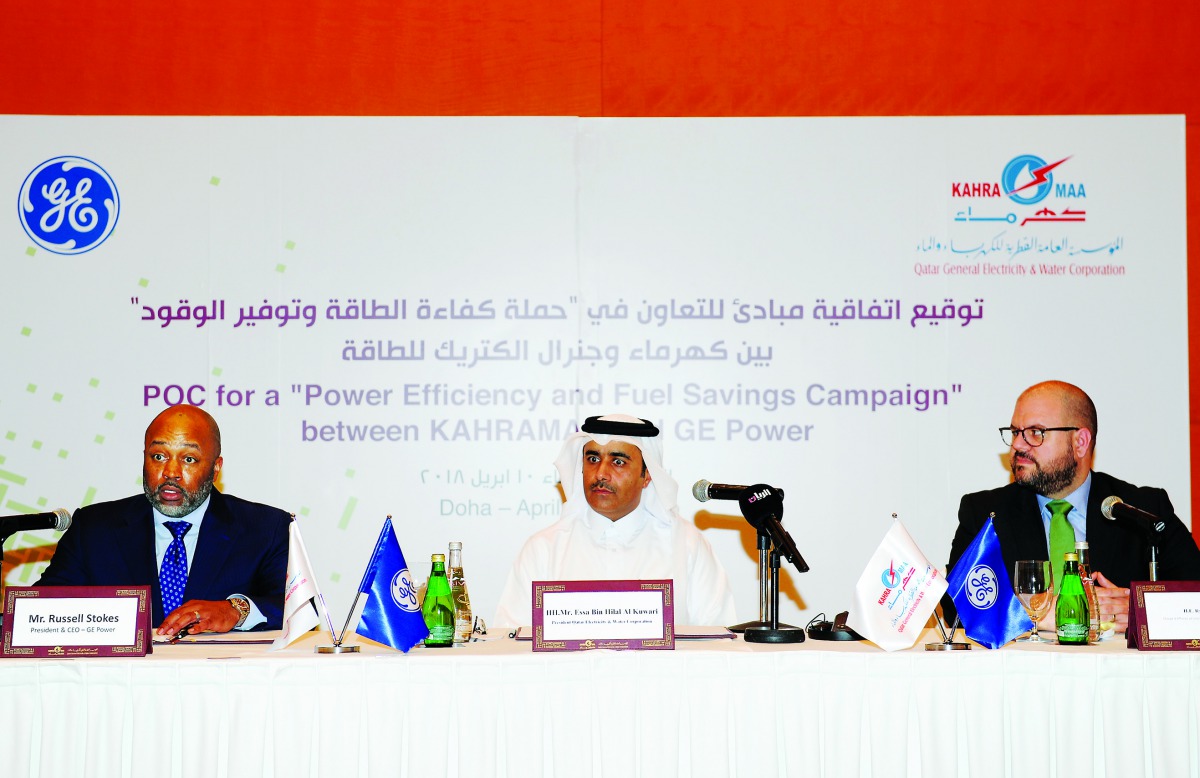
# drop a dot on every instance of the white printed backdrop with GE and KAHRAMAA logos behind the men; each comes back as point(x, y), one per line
point(406, 316)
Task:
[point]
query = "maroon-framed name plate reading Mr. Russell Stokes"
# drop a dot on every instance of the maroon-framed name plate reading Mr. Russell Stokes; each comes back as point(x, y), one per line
point(77, 621)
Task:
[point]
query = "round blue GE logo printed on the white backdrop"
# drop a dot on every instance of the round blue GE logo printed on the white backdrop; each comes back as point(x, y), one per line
point(69, 206)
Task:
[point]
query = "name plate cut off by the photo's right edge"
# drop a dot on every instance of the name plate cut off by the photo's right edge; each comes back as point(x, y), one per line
point(1165, 617)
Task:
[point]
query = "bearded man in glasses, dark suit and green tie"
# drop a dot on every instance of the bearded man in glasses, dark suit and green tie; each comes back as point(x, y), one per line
point(1053, 442)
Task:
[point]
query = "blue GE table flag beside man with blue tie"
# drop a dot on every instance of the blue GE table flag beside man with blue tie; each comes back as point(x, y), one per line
point(392, 615)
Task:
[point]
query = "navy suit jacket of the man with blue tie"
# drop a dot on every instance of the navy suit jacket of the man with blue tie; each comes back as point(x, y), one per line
point(243, 549)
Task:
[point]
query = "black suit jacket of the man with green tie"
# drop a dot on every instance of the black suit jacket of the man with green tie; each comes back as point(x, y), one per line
point(1118, 550)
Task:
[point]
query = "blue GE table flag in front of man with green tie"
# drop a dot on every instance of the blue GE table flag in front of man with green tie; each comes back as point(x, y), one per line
point(983, 594)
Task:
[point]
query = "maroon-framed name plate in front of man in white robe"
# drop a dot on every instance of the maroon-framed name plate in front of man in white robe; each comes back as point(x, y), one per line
point(585, 615)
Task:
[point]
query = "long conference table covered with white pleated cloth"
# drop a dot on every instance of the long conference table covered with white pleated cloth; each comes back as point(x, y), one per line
point(706, 709)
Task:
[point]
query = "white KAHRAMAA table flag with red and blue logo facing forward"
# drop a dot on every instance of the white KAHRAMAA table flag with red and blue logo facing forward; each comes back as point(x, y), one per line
point(897, 593)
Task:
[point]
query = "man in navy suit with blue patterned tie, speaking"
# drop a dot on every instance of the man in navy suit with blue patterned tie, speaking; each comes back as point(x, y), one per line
point(229, 574)
